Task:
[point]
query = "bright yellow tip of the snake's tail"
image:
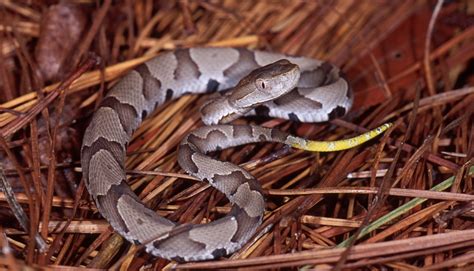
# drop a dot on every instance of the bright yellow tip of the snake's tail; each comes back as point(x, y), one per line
point(338, 145)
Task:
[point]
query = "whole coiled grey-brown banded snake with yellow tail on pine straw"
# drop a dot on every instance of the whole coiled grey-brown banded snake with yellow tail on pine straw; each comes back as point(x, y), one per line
point(272, 84)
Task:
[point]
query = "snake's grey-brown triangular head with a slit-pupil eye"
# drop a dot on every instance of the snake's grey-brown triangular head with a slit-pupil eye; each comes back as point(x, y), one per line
point(265, 84)
